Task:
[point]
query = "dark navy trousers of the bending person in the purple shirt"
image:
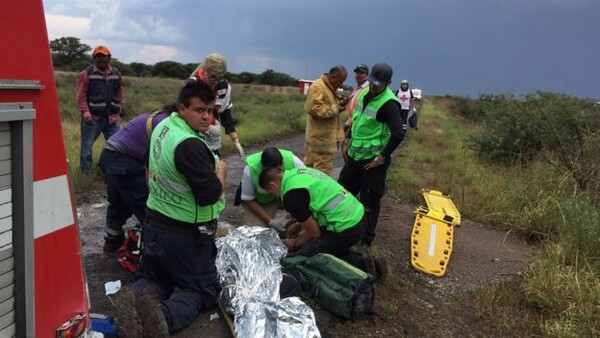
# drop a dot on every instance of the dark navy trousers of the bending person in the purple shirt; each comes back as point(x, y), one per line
point(126, 189)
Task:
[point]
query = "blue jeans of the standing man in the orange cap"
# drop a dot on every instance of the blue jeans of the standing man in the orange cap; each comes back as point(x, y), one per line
point(89, 135)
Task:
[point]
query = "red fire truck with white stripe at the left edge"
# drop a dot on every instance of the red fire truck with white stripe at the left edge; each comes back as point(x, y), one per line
point(43, 291)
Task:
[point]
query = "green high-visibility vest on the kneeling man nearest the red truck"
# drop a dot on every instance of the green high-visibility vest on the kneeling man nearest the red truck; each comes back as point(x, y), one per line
point(169, 192)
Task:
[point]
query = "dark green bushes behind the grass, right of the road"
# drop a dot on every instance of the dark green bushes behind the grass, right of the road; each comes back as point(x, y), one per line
point(560, 130)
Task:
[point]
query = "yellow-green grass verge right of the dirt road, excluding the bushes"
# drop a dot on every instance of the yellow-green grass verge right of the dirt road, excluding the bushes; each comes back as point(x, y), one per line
point(560, 291)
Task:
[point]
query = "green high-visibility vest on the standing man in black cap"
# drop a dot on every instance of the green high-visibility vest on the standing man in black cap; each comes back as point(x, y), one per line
point(369, 136)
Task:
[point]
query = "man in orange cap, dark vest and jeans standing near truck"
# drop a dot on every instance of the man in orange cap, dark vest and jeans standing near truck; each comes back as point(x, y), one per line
point(100, 101)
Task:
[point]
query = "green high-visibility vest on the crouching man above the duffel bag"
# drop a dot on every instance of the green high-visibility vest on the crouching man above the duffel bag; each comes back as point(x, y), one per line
point(332, 206)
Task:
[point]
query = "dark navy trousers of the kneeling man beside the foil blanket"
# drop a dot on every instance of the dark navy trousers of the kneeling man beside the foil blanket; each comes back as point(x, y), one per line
point(177, 266)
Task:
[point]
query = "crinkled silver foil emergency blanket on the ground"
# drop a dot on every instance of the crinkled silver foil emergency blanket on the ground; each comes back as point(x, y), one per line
point(250, 275)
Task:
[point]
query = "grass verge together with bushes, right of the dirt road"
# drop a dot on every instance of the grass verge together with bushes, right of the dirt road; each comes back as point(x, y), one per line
point(529, 164)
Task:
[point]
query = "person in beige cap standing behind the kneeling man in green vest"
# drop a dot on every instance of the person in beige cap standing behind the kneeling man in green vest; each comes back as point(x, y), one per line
point(213, 70)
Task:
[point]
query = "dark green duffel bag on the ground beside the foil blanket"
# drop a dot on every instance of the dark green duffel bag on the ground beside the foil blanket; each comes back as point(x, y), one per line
point(335, 284)
